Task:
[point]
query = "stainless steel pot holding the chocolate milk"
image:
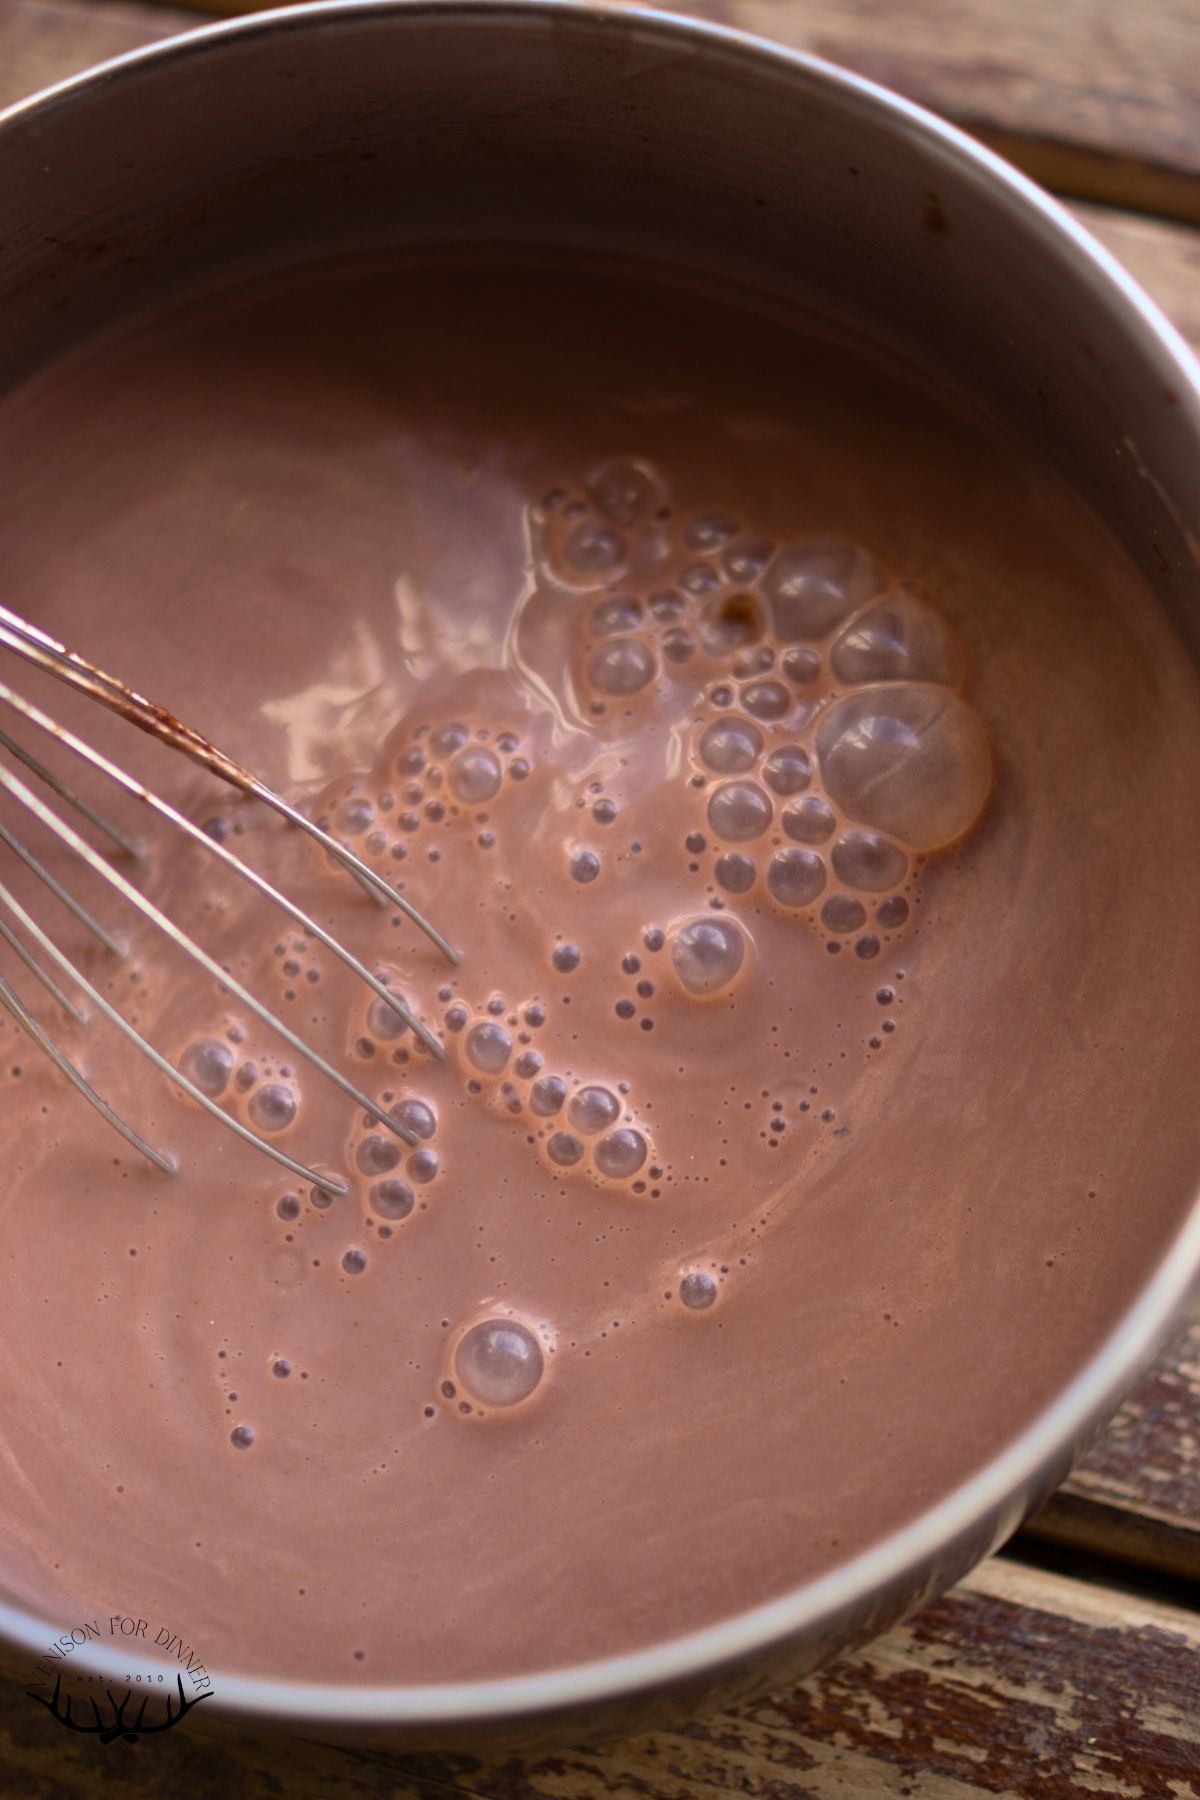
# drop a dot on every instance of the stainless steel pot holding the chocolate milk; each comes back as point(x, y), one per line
point(550, 121)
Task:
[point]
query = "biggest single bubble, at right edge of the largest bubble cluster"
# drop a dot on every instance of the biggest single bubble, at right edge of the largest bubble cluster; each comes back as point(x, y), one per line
point(913, 762)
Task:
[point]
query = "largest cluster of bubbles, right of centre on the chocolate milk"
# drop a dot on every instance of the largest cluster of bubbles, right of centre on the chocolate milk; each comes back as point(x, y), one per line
point(832, 744)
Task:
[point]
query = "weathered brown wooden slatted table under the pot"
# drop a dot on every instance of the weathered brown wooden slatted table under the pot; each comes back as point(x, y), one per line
point(1070, 1664)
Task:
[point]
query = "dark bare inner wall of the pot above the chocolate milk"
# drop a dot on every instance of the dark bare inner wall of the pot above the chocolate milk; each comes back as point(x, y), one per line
point(542, 125)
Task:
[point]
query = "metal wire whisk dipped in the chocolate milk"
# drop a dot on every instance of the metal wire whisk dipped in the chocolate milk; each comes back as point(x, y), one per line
point(19, 930)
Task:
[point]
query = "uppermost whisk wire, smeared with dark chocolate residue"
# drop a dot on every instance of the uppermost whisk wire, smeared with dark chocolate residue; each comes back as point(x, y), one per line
point(66, 665)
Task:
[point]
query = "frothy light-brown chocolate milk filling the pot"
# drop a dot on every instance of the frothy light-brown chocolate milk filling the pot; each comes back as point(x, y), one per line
point(809, 784)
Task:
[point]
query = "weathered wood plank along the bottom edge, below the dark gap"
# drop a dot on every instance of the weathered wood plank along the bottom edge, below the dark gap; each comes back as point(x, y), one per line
point(1021, 1684)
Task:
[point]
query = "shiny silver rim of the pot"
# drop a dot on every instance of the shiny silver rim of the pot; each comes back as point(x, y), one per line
point(994, 1500)
